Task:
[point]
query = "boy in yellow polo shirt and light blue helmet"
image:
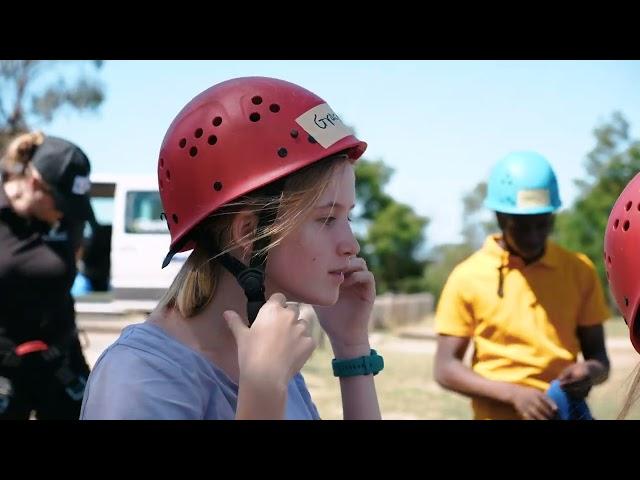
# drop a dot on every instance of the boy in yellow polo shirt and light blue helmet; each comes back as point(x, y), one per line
point(528, 305)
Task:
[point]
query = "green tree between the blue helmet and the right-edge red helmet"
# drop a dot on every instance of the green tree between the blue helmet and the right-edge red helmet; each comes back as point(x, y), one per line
point(609, 166)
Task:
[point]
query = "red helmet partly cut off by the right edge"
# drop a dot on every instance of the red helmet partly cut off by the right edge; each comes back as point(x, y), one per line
point(622, 256)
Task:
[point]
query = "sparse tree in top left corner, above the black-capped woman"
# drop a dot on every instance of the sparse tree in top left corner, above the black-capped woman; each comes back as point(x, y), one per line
point(32, 92)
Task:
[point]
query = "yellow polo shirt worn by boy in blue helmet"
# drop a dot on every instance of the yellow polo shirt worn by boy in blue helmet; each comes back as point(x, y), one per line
point(528, 335)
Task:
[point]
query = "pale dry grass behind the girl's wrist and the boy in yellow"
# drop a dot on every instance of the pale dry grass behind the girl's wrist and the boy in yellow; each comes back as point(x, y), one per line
point(406, 388)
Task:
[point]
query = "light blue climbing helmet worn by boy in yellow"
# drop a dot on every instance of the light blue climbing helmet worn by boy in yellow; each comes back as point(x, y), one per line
point(523, 183)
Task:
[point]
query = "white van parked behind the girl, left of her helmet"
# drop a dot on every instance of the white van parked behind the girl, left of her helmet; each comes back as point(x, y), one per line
point(124, 254)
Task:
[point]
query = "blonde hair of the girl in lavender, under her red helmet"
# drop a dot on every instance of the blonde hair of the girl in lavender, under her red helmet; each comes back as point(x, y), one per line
point(195, 284)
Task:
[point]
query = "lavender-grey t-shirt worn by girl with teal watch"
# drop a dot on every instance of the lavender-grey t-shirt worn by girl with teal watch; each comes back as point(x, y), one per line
point(147, 374)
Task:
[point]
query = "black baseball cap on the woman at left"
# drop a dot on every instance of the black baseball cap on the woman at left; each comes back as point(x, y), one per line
point(66, 170)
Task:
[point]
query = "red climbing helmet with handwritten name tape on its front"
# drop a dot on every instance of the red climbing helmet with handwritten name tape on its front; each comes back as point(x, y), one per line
point(237, 136)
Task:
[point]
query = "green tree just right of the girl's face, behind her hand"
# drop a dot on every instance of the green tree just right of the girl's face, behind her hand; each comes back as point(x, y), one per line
point(390, 233)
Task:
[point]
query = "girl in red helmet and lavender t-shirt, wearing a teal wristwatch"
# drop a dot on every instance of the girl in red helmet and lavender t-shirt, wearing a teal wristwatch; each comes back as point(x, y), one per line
point(252, 169)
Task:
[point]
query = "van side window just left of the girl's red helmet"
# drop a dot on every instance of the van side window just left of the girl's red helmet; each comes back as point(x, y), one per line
point(143, 209)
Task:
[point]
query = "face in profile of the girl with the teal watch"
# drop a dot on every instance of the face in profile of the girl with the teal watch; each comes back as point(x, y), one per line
point(307, 265)
